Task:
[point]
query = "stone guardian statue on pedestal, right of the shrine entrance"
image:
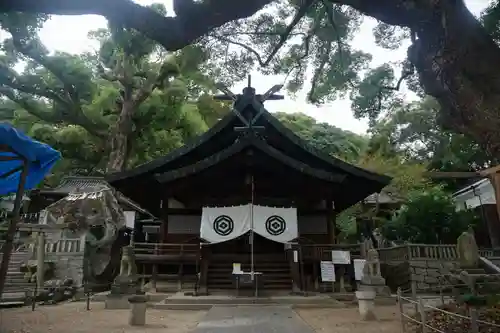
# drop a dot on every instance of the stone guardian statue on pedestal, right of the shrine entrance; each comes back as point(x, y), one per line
point(372, 277)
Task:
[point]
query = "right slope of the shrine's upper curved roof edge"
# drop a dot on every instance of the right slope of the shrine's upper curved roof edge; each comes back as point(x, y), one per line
point(348, 168)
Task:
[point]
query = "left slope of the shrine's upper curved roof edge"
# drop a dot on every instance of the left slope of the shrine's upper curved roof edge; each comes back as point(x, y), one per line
point(150, 166)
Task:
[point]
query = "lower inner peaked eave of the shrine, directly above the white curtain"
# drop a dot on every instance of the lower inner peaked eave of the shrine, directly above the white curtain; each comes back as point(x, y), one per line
point(238, 147)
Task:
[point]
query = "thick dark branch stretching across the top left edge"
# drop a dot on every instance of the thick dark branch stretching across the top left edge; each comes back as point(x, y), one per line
point(173, 33)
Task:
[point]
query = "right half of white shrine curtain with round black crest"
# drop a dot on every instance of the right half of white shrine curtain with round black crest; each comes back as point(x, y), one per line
point(277, 224)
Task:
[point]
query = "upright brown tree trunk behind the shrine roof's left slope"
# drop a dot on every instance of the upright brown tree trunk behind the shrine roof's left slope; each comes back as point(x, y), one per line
point(119, 138)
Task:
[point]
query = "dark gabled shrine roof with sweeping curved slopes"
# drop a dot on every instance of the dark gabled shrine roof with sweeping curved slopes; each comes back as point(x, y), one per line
point(222, 142)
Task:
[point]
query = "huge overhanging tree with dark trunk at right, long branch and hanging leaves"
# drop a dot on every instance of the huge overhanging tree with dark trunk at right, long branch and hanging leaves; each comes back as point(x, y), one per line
point(453, 55)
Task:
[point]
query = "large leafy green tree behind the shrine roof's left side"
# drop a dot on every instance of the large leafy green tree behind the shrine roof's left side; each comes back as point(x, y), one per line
point(126, 104)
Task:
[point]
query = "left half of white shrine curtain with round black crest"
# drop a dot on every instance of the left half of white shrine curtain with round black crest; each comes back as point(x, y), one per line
point(220, 224)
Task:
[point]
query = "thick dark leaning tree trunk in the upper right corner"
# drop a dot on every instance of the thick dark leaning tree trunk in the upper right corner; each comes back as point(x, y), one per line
point(456, 60)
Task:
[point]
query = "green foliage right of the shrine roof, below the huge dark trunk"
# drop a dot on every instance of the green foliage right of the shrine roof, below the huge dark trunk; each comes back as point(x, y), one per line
point(413, 131)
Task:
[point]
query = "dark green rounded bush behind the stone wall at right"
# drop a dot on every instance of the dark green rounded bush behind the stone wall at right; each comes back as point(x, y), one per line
point(428, 217)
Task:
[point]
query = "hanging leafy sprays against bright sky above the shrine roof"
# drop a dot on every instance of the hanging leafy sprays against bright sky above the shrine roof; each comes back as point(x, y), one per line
point(319, 44)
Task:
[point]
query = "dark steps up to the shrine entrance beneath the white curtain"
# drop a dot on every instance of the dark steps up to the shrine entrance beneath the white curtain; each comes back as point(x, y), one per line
point(274, 267)
